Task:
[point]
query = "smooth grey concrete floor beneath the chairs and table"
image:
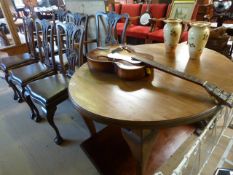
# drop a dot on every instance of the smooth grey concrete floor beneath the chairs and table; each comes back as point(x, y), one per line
point(27, 148)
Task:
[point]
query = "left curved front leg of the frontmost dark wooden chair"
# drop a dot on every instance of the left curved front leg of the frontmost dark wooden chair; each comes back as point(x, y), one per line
point(35, 115)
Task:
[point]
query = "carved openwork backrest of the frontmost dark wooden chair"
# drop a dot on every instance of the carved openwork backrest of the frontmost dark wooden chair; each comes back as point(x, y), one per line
point(70, 38)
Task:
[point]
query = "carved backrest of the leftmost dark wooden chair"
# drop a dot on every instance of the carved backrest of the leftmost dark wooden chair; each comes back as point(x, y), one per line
point(29, 29)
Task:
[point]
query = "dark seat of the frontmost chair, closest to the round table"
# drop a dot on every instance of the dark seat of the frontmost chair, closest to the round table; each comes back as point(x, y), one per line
point(49, 89)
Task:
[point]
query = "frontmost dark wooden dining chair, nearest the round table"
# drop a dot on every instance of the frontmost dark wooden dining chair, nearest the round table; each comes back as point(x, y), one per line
point(52, 90)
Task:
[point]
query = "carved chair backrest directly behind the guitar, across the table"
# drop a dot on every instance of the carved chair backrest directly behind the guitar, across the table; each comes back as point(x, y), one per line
point(111, 20)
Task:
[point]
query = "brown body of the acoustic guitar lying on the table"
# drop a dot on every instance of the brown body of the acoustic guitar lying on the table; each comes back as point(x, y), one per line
point(119, 61)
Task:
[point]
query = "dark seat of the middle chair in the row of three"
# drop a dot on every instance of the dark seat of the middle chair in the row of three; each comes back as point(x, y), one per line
point(30, 72)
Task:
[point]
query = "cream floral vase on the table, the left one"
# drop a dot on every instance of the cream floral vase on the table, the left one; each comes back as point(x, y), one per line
point(172, 31)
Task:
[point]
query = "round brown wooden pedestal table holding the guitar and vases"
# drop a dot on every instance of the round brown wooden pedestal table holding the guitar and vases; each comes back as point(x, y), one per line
point(145, 108)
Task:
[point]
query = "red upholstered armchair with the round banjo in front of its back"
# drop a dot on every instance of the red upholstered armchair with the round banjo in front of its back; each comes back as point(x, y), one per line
point(138, 31)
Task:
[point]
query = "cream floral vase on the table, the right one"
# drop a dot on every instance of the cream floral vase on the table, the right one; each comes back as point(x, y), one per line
point(197, 38)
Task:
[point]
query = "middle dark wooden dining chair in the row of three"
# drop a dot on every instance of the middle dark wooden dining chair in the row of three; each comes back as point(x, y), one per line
point(21, 76)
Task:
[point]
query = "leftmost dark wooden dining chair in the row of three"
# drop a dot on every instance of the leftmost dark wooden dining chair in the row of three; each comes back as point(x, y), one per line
point(16, 61)
